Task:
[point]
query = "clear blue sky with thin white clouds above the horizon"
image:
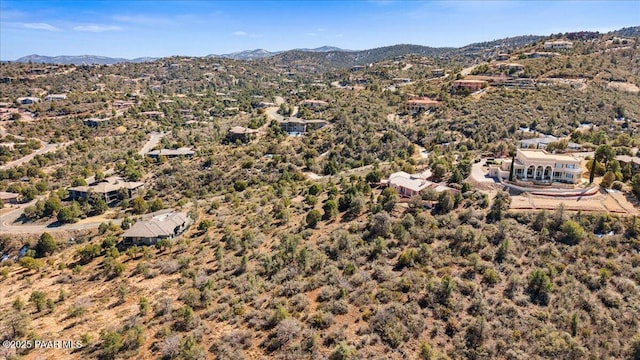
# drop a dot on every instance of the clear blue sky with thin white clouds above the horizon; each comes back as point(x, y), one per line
point(132, 29)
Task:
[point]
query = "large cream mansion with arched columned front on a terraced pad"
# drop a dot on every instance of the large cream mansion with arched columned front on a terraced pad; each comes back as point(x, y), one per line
point(540, 166)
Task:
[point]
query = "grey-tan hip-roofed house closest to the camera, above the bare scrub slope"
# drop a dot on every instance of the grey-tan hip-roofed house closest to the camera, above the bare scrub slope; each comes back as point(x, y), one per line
point(161, 227)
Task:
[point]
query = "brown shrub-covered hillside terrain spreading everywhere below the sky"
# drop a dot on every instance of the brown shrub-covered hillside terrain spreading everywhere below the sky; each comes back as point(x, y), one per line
point(299, 248)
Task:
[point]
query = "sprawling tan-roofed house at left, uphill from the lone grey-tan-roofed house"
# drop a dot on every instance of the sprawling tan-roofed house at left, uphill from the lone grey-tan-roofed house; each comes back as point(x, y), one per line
point(108, 189)
